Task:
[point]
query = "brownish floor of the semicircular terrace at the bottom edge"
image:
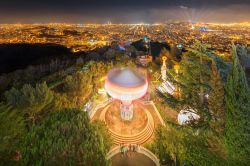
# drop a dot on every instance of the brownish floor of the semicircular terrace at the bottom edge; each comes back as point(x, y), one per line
point(132, 159)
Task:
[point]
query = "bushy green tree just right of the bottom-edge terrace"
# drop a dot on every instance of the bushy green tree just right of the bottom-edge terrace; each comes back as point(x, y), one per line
point(184, 146)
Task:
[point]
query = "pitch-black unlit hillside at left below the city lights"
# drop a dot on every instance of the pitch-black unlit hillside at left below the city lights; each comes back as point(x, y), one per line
point(19, 56)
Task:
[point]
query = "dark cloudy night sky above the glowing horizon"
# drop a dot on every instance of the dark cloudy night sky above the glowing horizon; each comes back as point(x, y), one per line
point(123, 11)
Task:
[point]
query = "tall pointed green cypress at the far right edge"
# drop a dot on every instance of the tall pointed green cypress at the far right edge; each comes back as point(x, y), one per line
point(237, 138)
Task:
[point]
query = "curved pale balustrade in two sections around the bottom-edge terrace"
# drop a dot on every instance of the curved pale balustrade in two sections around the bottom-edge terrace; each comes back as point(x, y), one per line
point(140, 149)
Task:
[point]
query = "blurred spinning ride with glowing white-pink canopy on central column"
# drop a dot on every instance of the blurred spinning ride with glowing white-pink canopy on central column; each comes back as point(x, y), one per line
point(126, 85)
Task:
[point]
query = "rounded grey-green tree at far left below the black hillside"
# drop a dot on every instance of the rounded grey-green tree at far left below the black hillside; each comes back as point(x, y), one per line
point(30, 100)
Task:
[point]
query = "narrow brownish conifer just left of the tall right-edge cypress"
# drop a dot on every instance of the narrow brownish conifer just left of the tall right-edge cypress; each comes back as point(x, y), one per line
point(216, 100)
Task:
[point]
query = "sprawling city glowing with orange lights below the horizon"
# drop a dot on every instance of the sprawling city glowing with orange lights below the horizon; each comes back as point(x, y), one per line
point(87, 37)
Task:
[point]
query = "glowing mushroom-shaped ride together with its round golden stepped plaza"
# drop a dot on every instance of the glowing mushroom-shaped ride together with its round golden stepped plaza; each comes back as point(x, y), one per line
point(129, 119)
